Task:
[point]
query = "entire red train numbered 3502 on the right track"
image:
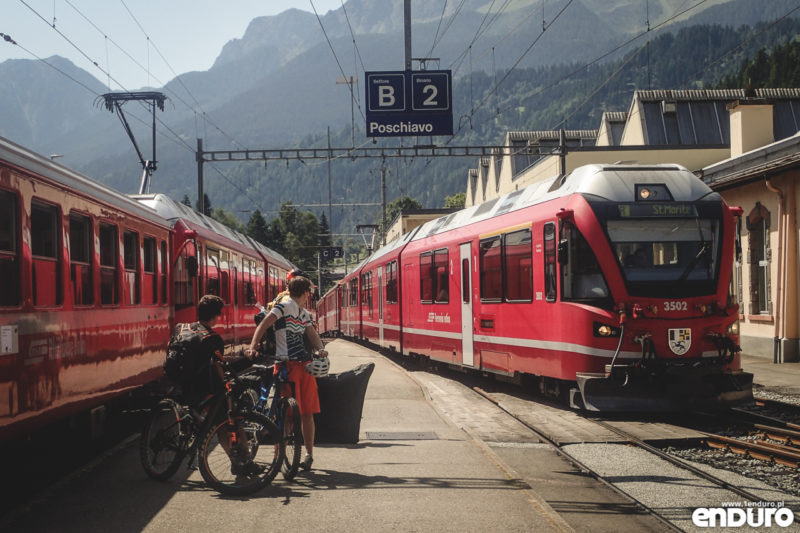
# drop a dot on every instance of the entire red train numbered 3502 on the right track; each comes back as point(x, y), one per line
point(610, 285)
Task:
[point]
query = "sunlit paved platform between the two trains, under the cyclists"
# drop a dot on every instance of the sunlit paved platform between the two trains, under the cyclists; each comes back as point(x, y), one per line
point(414, 468)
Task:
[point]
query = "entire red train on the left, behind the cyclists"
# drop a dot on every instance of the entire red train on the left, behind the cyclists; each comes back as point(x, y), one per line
point(93, 282)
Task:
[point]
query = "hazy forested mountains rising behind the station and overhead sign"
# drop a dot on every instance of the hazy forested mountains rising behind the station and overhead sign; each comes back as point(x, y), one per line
point(275, 88)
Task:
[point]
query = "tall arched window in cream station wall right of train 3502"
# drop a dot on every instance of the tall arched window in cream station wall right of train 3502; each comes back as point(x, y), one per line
point(758, 259)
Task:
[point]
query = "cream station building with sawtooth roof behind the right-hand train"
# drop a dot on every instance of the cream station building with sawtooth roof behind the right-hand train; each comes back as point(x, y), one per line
point(744, 145)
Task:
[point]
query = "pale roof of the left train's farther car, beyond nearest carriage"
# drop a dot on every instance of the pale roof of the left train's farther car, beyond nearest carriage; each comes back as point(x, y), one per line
point(174, 211)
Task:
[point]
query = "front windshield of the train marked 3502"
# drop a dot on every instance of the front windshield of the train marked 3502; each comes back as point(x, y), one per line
point(667, 257)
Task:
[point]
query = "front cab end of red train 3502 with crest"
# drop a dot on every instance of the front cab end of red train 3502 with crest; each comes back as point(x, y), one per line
point(661, 296)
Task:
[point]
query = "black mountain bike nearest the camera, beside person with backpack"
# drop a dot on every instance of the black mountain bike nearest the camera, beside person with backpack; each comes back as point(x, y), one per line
point(239, 450)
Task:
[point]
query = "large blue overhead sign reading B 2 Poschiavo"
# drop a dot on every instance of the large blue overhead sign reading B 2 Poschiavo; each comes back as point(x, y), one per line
point(409, 103)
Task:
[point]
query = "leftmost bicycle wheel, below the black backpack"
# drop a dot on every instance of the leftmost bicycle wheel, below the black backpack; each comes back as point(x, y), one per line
point(165, 440)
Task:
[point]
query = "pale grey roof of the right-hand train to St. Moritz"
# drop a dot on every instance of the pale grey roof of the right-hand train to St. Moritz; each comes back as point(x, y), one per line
point(615, 183)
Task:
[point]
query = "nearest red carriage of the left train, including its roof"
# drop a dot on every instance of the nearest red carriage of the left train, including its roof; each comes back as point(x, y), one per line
point(84, 308)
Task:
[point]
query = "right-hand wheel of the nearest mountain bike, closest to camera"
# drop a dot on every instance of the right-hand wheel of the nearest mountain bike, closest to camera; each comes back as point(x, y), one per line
point(241, 457)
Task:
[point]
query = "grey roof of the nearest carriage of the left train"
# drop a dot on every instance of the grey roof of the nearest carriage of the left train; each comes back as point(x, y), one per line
point(45, 167)
